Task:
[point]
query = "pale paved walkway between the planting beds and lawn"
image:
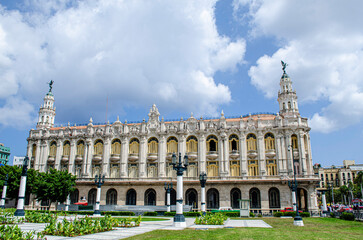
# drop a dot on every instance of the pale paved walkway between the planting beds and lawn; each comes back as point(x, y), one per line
point(120, 233)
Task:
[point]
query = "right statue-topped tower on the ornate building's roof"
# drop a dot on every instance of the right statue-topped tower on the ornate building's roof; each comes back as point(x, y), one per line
point(287, 96)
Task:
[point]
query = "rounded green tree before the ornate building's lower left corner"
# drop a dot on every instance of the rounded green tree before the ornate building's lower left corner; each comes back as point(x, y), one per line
point(53, 186)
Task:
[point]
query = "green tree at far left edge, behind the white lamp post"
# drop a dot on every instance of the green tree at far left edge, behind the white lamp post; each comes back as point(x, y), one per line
point(14, 173)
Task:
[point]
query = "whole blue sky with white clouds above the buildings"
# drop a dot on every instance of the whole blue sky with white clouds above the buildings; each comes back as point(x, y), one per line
point(118, 57)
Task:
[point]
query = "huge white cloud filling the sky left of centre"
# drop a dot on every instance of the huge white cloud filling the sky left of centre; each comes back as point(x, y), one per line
point(135, 52)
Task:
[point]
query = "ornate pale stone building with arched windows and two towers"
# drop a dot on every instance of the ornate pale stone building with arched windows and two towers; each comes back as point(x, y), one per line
point(249, 157)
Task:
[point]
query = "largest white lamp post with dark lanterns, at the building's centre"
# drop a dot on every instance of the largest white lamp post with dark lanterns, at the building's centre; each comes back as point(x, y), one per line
point(179, 219)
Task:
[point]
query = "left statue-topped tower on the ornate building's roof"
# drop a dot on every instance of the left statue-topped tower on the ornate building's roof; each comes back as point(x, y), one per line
point(47, 110)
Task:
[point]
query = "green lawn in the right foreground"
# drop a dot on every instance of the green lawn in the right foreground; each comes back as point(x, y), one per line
point(315, 228)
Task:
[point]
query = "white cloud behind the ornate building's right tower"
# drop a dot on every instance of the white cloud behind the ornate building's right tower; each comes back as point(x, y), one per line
point(323, 43)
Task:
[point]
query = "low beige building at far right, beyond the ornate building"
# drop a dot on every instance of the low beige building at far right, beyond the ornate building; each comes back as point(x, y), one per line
point(337, 176)
